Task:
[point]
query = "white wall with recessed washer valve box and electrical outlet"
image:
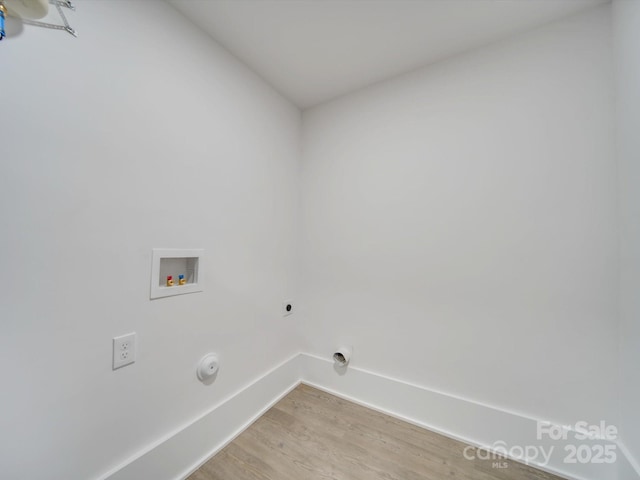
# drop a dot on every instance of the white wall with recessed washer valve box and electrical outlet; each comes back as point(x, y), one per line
point(141, 133)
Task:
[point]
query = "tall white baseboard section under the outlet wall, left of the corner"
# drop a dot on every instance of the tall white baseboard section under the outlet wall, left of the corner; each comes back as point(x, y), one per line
point(190, 446)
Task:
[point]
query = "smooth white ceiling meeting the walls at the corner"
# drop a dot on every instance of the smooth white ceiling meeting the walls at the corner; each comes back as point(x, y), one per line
point(314, 50)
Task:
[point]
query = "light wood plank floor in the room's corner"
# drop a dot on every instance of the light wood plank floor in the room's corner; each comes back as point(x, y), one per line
point(311, 435)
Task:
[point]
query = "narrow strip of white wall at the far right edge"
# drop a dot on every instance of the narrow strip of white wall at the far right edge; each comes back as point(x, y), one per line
point(626, 21)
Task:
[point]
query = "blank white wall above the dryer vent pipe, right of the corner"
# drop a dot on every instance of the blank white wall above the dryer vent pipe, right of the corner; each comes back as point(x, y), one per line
point(459, 225)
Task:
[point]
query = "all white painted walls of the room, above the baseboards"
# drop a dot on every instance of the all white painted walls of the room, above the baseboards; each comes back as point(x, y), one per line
point(459, 229)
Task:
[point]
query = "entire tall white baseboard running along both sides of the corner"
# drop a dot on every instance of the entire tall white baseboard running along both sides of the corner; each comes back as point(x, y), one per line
point(182, 452)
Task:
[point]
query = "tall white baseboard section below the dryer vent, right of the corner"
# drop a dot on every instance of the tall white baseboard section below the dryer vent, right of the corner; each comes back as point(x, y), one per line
point(462, 419)
